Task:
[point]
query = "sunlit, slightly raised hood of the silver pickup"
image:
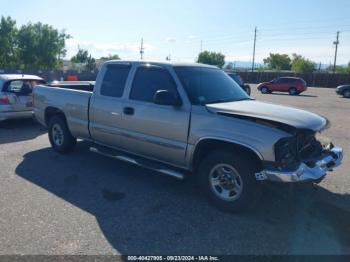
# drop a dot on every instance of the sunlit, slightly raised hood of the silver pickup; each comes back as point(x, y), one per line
point(296, 118)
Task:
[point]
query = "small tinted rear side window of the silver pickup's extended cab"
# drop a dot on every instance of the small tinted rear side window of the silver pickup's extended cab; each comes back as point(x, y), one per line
point(114, 81)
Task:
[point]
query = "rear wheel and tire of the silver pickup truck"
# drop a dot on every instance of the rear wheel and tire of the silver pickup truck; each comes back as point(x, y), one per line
point(60, 137)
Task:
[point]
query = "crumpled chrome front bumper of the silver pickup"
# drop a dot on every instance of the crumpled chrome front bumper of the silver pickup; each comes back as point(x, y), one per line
point(304, 172)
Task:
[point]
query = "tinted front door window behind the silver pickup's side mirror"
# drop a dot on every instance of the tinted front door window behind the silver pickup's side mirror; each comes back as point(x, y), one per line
point(148, 80)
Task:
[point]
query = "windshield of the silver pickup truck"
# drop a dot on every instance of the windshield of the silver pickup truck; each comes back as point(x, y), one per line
point(209, 85)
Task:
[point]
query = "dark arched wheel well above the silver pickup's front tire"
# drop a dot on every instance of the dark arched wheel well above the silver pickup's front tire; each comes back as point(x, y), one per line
point(209, 145)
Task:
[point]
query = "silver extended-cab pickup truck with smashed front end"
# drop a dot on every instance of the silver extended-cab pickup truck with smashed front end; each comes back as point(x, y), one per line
point(181, 119)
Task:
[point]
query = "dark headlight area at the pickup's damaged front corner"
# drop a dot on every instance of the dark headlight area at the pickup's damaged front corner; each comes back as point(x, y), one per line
point(285, 151)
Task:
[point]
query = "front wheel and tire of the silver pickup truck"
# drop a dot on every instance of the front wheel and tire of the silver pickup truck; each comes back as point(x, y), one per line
point(222, 171)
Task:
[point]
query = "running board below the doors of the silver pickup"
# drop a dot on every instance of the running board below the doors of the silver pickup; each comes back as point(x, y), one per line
point(149, 164)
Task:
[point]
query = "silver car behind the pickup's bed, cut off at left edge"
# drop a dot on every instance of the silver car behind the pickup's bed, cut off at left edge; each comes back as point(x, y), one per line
point(16, 95)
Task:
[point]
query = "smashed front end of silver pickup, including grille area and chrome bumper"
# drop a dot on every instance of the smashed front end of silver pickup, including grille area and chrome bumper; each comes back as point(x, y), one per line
point(303, 157)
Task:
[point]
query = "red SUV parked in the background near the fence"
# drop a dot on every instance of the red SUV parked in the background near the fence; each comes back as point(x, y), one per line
point(292, 85)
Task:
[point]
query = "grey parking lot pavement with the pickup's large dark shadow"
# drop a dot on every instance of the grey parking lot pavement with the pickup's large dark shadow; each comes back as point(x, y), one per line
point(88, 204)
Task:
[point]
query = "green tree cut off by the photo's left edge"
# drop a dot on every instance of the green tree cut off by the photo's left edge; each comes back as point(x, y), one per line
point(8, 43)
